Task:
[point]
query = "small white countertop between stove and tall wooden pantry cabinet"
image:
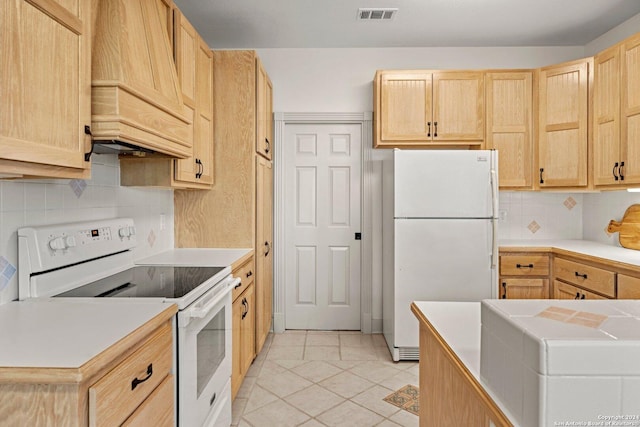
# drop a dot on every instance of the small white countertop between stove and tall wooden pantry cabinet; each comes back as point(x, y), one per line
point(196, 257)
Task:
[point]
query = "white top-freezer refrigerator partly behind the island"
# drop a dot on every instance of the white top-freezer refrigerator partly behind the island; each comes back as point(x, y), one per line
point(440, 219)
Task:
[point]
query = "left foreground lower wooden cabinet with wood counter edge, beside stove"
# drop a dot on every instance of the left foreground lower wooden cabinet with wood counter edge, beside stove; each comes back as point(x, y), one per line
point(129, 384)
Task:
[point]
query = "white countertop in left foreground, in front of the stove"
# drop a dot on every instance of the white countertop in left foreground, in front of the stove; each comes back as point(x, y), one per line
point(67, 333)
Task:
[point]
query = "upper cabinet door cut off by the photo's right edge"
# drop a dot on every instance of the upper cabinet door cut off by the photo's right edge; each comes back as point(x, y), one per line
point(630, 110)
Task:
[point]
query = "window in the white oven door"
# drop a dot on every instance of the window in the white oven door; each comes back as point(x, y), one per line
point(211, 350)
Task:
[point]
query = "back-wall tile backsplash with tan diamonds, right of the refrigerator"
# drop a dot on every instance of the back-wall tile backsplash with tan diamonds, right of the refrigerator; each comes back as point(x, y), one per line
point(536, 215)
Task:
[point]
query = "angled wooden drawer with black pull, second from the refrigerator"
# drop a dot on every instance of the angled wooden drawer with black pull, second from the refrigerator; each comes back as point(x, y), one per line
point(585, 276)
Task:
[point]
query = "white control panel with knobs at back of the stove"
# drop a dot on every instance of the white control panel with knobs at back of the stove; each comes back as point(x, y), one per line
point(56, 246)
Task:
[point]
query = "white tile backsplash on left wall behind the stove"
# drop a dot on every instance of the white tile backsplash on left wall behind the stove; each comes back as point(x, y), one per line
point(38, 202)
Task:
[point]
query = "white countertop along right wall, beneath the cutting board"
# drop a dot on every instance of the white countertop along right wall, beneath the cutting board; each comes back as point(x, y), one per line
point(584, 247)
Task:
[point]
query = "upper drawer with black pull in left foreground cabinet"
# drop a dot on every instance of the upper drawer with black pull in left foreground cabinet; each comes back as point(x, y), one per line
point(116, 395)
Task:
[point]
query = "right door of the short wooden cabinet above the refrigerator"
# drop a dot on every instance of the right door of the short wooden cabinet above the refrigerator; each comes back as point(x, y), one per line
point(458, 106)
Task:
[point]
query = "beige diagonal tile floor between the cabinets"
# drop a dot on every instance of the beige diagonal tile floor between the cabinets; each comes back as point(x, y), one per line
point(323, 378)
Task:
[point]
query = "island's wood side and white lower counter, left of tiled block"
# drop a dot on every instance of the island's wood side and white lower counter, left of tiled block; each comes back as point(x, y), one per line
point(451, 391)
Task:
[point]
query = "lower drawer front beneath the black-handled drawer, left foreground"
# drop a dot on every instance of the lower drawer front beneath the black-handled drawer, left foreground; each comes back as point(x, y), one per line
point(157, 410)
